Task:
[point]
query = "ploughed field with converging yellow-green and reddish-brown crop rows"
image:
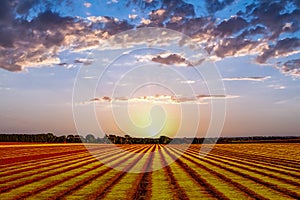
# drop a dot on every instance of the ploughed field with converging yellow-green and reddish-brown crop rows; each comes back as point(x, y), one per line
point(229, 171)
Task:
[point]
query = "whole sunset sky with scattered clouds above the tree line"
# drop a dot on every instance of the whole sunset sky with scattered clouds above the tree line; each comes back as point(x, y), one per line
point(146, 68)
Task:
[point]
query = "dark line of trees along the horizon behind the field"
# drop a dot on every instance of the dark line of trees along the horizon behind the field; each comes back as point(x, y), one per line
point(108, 139)
